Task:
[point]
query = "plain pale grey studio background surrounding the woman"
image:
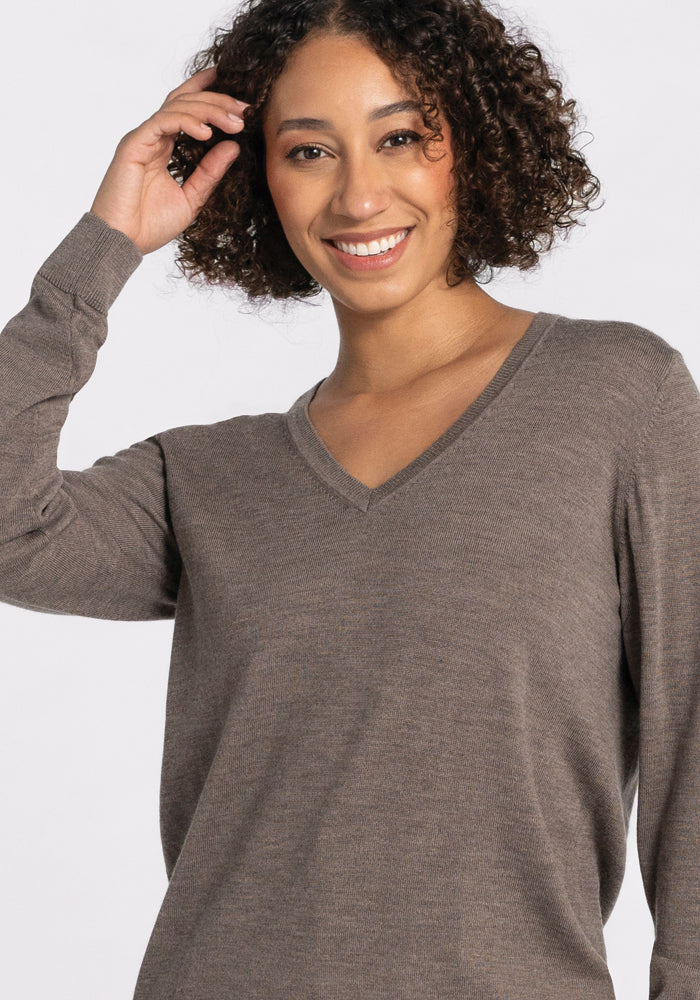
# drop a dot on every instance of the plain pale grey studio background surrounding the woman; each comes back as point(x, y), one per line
point(82, 701)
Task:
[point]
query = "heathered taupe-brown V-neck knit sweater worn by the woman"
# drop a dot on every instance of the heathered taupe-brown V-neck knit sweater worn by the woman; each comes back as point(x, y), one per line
point(405, 725)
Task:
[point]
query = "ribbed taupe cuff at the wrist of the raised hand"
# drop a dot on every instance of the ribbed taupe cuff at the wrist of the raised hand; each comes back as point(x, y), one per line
point(93, 262)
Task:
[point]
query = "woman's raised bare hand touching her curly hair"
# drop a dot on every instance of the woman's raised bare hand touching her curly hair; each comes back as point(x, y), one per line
point(138, 195)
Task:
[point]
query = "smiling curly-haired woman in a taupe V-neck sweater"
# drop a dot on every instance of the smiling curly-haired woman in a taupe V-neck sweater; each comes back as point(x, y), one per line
point(437, 622)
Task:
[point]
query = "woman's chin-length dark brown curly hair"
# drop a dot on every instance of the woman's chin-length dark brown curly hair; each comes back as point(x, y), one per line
point(518, 178)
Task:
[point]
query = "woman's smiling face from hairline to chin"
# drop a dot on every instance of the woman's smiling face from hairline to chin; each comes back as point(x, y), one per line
point(363, 208)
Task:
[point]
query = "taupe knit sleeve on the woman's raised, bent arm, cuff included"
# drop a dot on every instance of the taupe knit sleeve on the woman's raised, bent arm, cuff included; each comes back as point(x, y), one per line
point(97, 542)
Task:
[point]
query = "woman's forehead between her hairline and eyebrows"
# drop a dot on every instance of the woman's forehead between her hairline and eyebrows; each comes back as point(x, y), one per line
point(329, 71)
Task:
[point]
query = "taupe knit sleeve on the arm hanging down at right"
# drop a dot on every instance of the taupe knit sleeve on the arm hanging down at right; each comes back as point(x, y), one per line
point(660, 607)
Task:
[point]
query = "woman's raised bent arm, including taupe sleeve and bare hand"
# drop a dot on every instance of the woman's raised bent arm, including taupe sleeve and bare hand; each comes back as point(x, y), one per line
point(97, 542)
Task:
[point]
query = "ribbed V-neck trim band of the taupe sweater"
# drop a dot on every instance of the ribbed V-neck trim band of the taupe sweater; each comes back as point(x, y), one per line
point(313, 449)
